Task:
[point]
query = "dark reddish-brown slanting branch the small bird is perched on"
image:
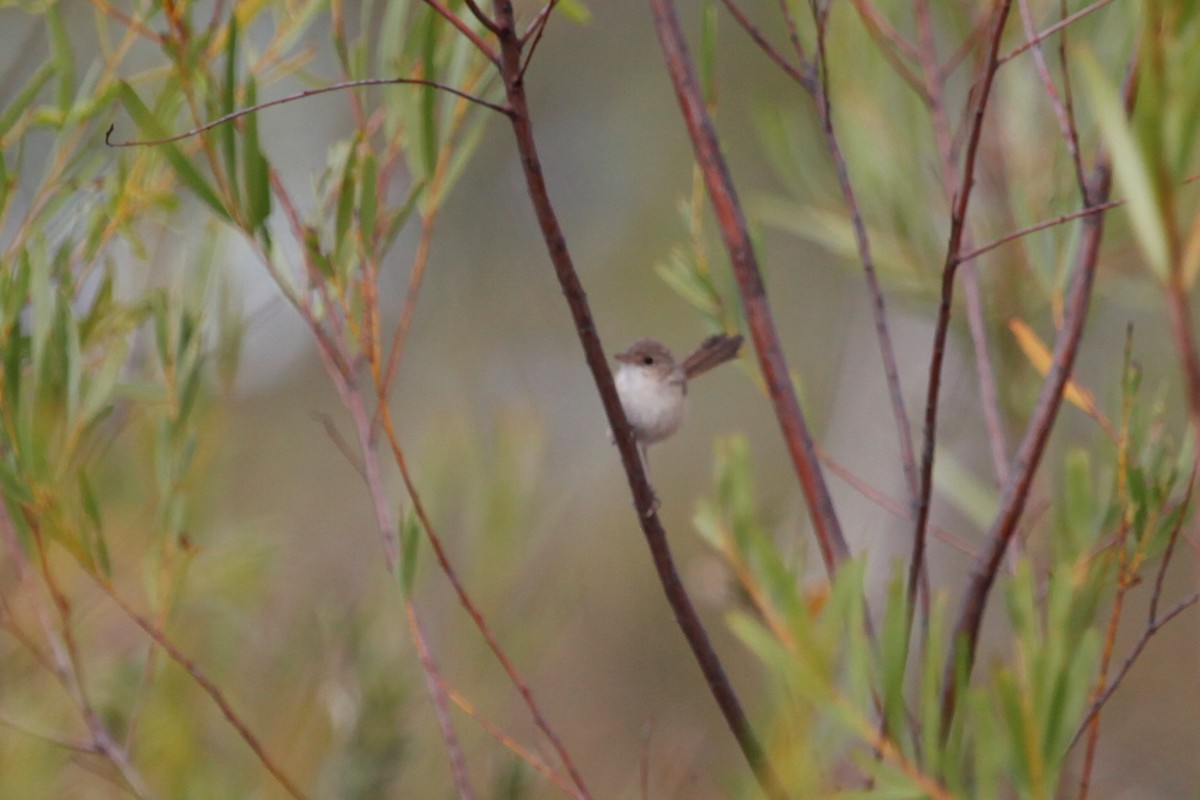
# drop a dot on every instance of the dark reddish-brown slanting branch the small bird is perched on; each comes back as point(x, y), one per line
point(595, 354)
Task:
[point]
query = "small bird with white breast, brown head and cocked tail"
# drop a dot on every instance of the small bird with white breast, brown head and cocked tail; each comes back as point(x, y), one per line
point(653, 388)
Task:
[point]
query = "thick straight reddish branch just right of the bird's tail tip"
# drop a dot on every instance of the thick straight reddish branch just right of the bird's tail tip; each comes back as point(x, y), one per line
point(751, 286)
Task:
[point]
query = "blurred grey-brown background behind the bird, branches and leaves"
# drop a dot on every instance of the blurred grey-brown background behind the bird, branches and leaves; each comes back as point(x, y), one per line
point(287, 603)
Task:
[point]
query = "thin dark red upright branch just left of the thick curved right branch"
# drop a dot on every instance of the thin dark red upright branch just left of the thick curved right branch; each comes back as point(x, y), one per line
point(958, 226)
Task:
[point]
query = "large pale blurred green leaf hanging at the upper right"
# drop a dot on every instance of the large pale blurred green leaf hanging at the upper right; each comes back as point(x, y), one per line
point(1132, 165)
